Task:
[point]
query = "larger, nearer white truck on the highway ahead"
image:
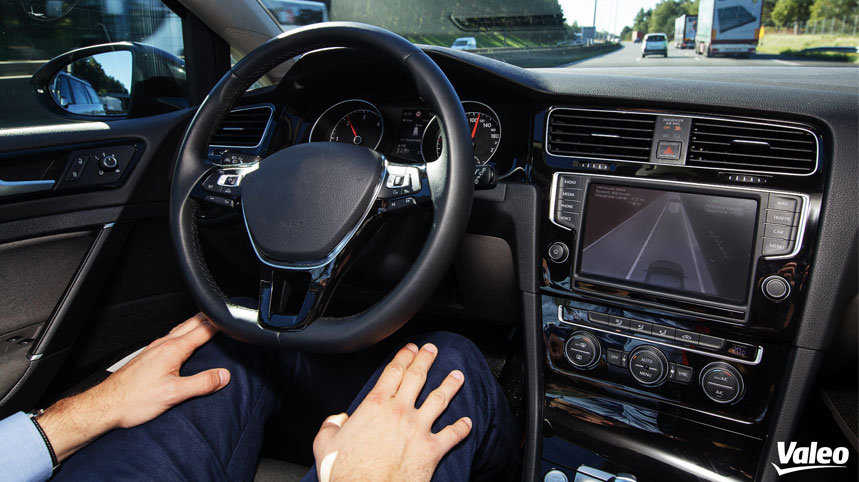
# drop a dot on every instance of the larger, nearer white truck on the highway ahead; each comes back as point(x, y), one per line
point(728, 27)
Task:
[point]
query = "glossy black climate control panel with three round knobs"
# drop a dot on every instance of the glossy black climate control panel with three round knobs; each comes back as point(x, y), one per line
point(654, 360)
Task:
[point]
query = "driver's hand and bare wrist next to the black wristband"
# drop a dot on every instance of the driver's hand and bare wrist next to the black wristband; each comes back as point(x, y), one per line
point(143, 389)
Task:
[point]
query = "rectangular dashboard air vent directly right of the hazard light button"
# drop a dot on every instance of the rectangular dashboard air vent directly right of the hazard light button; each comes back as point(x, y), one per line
point(747, 146)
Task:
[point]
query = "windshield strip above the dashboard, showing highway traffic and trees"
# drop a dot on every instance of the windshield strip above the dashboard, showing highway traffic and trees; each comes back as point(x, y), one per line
point(609, 33)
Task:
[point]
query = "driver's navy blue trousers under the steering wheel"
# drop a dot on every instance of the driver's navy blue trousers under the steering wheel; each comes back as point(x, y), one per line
point(219, 437)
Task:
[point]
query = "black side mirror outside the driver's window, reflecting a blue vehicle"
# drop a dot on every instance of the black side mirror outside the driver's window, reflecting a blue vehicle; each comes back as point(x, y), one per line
point(122, 79)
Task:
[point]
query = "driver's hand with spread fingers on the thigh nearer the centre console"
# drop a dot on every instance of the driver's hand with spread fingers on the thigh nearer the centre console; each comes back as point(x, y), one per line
point(387, 438)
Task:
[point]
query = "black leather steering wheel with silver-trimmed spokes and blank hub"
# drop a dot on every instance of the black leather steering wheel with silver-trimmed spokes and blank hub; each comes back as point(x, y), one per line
point(310, 208)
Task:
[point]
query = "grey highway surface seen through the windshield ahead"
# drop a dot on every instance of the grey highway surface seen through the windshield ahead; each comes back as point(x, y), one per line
point(629, 55)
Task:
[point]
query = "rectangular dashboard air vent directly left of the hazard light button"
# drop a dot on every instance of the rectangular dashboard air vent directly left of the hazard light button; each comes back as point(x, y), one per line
point(590, 134)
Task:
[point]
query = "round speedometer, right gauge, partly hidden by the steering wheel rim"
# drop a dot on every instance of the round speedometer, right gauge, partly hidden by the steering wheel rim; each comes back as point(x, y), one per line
point(485, 130)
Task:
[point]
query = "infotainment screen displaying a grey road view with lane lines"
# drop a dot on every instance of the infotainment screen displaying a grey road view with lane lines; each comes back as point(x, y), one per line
point(695, 245)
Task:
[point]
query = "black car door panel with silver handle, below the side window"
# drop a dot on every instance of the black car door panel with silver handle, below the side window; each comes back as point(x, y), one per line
point(83, 259)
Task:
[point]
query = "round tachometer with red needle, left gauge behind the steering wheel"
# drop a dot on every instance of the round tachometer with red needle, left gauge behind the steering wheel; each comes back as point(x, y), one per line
point(352, 121)
